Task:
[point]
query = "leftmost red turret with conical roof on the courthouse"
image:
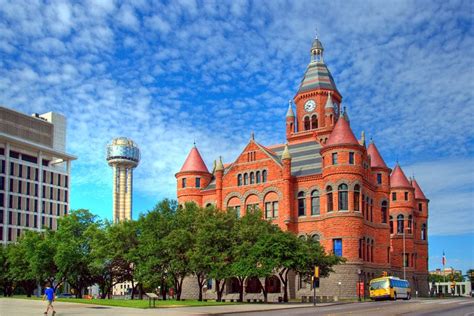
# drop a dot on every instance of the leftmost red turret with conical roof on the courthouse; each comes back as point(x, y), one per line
point(192, 177)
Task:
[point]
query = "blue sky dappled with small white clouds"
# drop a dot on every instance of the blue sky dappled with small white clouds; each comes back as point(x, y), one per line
point(166, 74)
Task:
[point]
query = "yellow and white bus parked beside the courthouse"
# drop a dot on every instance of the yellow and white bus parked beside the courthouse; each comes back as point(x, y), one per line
point(389, 288)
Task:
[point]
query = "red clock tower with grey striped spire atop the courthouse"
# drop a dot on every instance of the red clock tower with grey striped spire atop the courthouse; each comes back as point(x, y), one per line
point(318, 102)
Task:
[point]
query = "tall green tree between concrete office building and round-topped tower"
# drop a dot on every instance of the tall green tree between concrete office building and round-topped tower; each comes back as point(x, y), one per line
point(74, 249)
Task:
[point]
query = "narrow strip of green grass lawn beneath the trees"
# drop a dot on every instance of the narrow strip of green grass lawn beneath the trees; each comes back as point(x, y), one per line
point(135, 303)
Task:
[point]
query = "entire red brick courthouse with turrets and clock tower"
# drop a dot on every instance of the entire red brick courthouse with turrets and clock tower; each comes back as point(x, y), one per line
point(325, 184)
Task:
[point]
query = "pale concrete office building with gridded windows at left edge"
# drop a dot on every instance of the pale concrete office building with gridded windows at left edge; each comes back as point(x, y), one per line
point(34, 172)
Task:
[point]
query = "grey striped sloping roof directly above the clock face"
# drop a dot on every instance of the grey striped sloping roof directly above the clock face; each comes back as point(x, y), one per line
point(317, 76)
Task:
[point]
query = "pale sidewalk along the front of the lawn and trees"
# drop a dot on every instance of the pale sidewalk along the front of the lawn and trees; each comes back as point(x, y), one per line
point(32, 307)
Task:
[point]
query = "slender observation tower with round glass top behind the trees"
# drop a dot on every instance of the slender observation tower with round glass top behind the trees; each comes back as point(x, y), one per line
point(123, 156)
